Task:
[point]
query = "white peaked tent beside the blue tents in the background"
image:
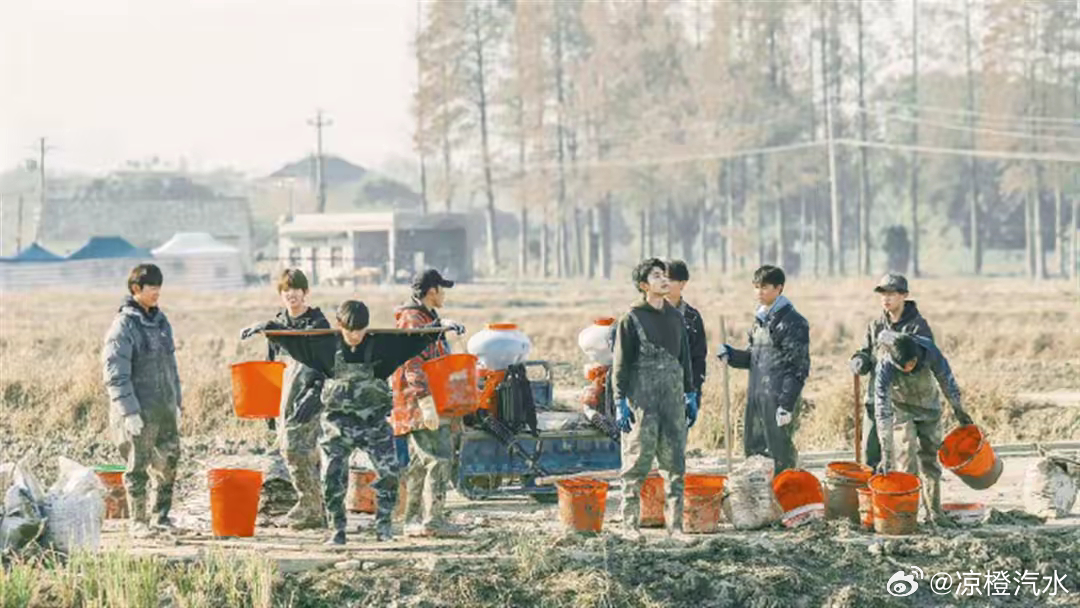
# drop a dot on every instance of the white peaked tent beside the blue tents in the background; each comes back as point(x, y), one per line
point(196, 261)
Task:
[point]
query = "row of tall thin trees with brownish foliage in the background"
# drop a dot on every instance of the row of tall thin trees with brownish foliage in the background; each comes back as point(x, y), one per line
point(815, 134)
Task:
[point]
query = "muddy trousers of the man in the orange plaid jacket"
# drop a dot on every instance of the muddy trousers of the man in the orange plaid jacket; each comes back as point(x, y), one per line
point(428, 475)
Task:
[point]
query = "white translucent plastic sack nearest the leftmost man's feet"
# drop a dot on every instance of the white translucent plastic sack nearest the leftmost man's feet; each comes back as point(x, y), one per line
point(75, 508)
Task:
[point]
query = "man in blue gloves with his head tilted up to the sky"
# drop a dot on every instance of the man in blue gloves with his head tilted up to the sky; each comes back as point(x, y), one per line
point(655, 396)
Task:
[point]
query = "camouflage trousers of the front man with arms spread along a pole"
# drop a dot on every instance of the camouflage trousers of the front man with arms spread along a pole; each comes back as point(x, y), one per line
point(342, 435)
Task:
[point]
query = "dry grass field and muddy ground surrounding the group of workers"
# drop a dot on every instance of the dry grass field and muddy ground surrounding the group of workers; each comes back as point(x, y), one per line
point(1015, 347)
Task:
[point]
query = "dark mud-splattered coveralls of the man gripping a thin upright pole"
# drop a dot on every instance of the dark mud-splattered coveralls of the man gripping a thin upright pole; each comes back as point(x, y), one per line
point(779, 362)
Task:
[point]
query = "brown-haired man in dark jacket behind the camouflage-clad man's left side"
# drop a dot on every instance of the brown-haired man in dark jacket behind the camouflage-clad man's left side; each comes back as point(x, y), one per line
point(299, 428)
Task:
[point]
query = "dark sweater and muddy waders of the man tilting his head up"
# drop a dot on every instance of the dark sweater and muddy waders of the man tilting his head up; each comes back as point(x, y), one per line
point(656, 382)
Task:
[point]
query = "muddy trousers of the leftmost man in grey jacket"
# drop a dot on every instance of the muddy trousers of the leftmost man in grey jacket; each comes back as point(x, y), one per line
point(152, 454)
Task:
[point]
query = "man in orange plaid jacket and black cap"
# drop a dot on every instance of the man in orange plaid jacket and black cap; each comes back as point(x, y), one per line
point(415, 421)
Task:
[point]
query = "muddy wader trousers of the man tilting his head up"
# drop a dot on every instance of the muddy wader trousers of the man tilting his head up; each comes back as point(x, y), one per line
point(659, 434)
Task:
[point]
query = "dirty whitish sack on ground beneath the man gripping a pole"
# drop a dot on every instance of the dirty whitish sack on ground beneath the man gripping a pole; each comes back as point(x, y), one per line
point(749, 503)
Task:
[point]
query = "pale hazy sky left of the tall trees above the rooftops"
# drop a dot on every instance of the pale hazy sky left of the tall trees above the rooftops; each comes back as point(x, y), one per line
point(221, 83)
